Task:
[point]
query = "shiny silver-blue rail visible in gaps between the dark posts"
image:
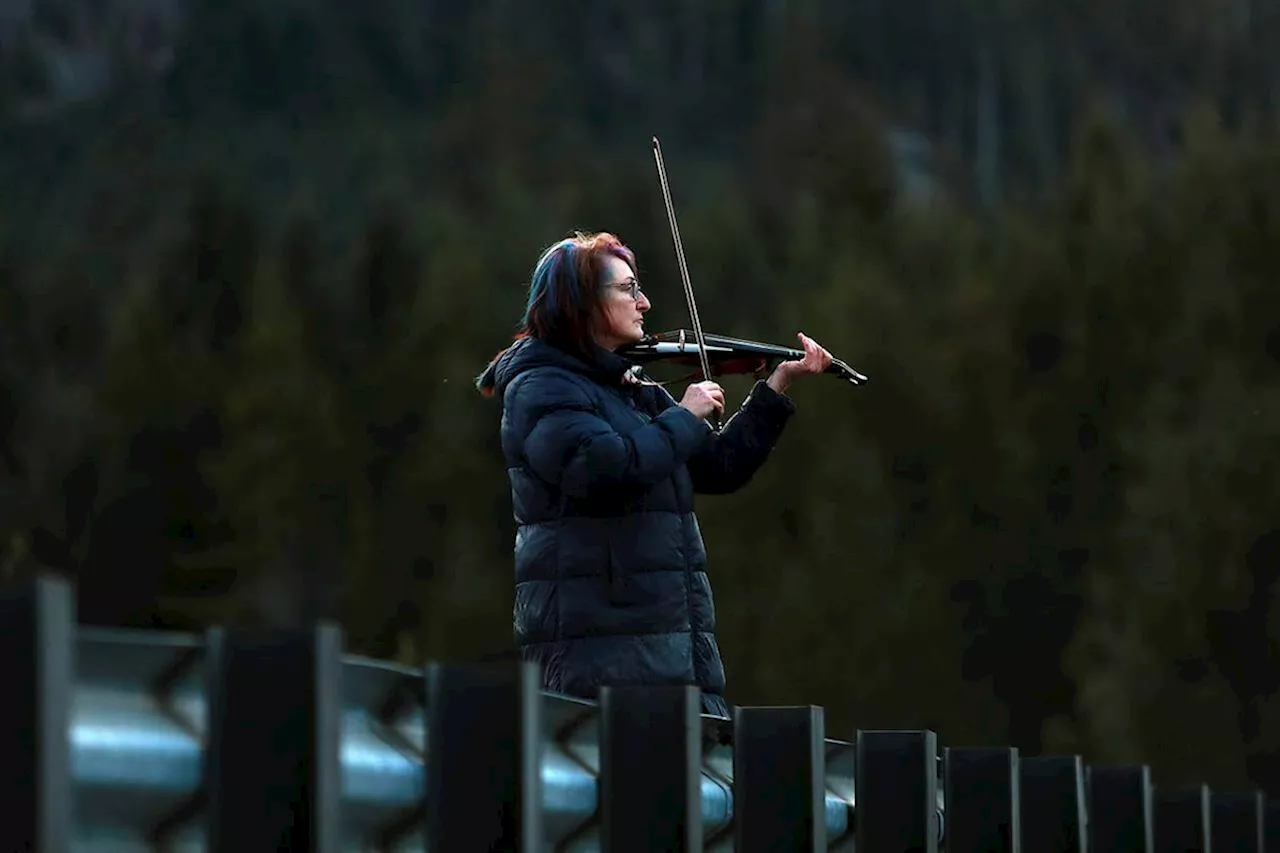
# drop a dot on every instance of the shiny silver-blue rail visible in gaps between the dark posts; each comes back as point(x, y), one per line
point(140, 729)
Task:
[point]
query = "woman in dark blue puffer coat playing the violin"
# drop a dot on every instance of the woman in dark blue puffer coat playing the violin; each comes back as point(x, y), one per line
point(611, 572)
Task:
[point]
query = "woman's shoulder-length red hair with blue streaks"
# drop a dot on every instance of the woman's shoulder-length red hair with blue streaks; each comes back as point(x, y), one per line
point(565, 291)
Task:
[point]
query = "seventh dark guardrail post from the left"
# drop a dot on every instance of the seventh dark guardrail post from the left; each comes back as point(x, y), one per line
point(982, 800)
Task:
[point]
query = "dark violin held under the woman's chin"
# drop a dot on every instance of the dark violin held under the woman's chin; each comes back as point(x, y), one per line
point(725, 357)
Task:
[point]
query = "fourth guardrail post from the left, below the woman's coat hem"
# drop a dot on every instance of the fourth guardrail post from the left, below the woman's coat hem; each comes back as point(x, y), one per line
point(651, 769)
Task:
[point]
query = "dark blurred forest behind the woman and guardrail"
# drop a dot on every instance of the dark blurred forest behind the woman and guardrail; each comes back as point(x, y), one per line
point(253, 256)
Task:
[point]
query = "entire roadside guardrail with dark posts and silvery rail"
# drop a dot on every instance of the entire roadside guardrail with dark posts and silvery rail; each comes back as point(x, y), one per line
point(243, 742)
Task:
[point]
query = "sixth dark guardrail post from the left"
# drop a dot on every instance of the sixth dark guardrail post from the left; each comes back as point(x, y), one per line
point(897, 792)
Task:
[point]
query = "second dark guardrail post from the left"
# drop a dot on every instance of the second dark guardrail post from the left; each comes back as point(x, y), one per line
point(273, 770)
